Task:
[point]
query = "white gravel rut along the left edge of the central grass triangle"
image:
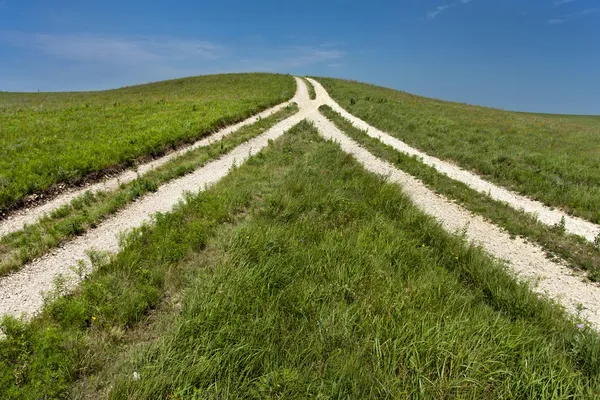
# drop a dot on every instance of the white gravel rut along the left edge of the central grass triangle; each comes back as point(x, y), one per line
point(21, 293)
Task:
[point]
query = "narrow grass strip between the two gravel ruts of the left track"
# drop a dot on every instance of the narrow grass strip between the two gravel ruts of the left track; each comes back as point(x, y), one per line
point(90, 209)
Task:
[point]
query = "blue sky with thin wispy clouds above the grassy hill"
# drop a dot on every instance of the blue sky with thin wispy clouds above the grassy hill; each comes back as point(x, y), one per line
point(531, 55)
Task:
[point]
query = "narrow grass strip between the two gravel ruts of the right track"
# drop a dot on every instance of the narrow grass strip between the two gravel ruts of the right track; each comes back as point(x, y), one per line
point(575, 250)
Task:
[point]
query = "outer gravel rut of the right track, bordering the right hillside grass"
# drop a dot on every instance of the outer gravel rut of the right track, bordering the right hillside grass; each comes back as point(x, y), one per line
point(544, 213)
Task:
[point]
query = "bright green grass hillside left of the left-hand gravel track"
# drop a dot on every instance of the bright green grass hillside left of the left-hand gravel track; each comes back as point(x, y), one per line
point(52, 138)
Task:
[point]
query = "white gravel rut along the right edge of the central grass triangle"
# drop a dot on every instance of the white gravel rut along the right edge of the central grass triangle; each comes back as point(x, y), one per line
point(527, 260)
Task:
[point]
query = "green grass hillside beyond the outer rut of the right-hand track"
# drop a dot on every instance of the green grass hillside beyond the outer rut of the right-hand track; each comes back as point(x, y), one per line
point(552, 159)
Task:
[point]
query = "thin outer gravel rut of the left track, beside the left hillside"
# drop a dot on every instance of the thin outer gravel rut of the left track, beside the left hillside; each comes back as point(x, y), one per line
point(18, 219)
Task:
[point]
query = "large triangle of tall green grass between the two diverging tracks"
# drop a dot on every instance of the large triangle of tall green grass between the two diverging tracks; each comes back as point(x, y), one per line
point(299, 276)
